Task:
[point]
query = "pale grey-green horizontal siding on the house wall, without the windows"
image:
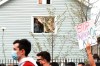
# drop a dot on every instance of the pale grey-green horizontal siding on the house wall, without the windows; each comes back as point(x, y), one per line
point(16, 15)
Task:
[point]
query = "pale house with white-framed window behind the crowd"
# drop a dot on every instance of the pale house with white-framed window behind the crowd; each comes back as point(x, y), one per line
point(18, 18)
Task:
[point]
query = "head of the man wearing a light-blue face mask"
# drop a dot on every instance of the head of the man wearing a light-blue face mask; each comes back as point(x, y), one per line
point(21, 48)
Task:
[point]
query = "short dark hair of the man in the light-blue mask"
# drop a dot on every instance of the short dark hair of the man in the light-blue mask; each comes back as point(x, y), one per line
point(24, 44)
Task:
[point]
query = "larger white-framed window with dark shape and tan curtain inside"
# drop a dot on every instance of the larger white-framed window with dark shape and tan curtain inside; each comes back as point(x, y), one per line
point(43, 24)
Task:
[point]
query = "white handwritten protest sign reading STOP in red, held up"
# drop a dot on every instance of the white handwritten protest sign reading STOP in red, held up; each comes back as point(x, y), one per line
point(86, 33)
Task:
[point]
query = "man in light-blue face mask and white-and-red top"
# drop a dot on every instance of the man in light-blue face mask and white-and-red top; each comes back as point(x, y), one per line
point(21, 49)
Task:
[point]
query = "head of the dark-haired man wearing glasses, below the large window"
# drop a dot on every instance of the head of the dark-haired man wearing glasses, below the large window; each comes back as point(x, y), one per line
point(43, 57)
